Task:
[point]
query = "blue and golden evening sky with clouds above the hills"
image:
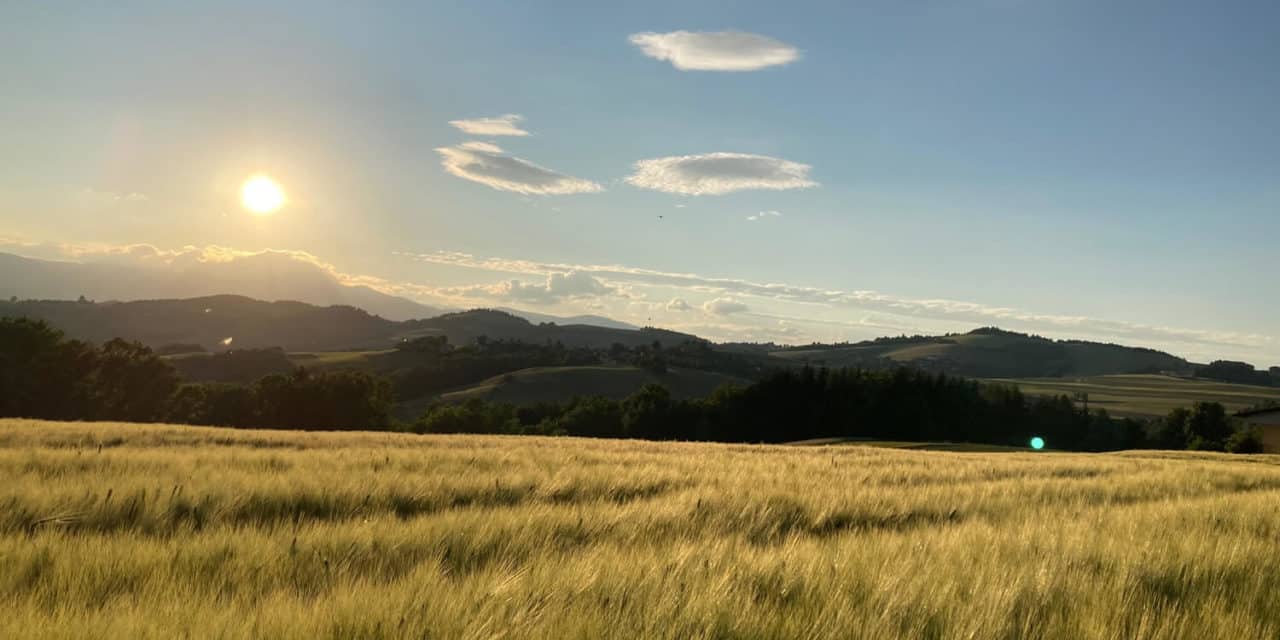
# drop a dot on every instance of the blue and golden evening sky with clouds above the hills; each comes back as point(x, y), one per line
point(785, 172)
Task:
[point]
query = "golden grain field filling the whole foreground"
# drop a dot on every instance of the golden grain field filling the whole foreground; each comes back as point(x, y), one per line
point(121, 531)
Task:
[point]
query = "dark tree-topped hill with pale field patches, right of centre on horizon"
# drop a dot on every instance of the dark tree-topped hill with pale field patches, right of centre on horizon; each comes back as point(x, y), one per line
point(990, 354)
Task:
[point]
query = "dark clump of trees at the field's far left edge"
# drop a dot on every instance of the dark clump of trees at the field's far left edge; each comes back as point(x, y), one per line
point(48, 377)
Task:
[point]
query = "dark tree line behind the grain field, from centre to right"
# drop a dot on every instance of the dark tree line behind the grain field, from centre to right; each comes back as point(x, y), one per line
point(813, 404)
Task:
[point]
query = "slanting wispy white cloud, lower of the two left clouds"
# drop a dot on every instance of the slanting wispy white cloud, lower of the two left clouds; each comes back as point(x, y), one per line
point(490, 166)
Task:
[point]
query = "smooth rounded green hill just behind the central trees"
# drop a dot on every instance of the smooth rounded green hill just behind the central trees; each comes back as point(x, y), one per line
point(557, 385)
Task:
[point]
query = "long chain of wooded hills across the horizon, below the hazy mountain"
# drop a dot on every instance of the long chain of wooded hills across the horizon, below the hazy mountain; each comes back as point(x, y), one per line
point(218, 323)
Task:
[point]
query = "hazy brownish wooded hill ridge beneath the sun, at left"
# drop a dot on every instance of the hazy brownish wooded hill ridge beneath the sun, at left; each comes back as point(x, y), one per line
point(212, 322)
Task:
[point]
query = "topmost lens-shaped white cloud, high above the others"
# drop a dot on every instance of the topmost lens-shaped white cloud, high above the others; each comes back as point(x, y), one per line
point(716, 51)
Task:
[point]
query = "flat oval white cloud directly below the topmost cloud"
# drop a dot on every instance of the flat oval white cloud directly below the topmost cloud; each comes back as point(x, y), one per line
point(714, 175)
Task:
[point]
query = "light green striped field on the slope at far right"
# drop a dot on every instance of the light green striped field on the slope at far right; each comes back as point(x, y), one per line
point(1148, 395)
